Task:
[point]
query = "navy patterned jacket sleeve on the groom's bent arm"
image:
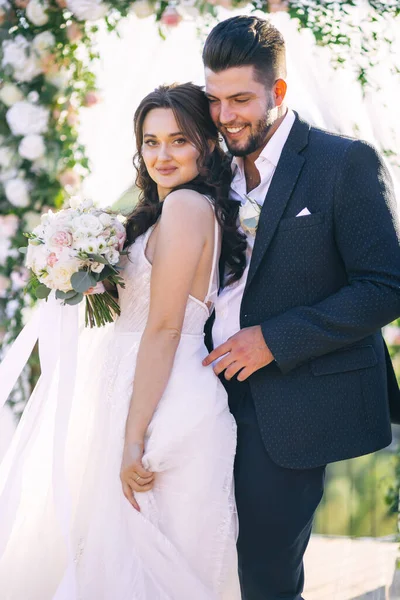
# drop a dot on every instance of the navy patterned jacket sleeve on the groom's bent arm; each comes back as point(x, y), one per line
point(368, 240)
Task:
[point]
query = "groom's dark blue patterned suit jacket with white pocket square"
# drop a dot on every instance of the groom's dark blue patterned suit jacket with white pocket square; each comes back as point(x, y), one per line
point(322, 286)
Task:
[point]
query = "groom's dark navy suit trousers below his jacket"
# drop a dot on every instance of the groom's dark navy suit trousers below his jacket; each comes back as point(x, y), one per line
point(275, 506)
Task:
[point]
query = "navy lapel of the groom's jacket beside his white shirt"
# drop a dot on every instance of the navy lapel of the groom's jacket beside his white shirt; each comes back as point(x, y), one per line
point(283, 182)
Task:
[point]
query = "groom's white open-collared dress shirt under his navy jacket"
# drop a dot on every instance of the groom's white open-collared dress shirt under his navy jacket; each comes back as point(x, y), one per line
point(227, 305)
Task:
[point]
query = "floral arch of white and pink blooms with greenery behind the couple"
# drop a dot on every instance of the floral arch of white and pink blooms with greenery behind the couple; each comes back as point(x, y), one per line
point(47, 50)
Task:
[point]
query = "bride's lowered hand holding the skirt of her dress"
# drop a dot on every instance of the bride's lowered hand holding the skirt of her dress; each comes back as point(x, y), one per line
point(134, 476)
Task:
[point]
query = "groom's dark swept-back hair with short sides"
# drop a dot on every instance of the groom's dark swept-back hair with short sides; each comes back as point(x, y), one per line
point(245, 40)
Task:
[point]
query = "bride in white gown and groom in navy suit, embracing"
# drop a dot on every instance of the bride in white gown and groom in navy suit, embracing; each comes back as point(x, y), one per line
point(195, 473)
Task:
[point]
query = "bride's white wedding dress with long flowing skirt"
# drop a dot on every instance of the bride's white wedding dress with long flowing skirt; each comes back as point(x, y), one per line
point(66, 530)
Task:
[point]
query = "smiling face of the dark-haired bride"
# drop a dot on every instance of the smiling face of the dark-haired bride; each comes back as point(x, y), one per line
point(170, 158)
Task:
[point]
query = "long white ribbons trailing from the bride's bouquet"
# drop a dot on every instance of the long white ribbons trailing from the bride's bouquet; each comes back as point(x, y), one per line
point(56, 328)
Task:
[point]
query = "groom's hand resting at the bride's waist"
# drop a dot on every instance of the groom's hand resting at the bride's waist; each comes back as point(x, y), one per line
point(246, 351)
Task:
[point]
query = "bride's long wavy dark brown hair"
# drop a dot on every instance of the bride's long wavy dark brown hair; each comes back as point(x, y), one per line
point(190, 107)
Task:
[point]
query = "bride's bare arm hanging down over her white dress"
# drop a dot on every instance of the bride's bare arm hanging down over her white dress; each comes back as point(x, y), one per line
point(184, 228)
